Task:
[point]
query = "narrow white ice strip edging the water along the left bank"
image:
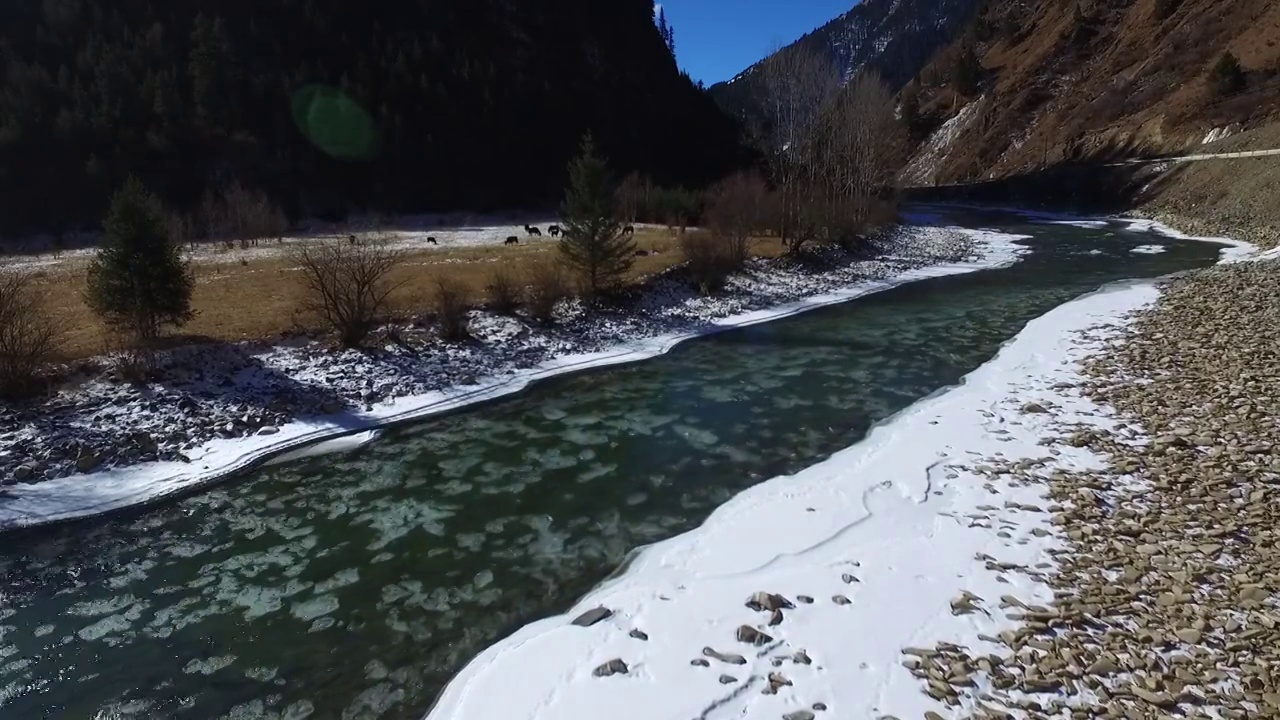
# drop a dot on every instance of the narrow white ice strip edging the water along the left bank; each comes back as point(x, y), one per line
point(79, 498)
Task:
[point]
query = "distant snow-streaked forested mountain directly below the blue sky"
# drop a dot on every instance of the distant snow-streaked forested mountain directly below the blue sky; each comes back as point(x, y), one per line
point(892, 38)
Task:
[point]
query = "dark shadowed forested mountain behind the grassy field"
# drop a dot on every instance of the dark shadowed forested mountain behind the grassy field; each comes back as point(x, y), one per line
point(332, 106)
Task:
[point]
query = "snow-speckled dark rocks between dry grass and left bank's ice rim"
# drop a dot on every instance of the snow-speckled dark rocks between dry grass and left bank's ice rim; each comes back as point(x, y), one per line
point(234, 391)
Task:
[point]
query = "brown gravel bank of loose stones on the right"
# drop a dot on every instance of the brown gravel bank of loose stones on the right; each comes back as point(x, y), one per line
point(1169, 568)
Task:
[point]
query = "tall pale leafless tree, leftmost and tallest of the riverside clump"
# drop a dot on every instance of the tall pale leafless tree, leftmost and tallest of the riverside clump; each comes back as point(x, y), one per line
point(798, 84)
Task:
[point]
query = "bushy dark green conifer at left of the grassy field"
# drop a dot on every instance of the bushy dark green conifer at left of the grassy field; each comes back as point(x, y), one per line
point(139, 281)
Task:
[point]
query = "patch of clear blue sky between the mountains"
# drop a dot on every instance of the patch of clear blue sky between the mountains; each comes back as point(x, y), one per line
point(719, 39)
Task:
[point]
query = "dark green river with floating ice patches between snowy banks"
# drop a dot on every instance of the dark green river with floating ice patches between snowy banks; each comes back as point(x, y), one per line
point(354, 586)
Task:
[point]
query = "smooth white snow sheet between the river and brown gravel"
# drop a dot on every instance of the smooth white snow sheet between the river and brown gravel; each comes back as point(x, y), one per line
point(876, 549)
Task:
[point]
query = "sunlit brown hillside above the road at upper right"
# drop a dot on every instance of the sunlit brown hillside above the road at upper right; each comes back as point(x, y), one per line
point(1069, 80)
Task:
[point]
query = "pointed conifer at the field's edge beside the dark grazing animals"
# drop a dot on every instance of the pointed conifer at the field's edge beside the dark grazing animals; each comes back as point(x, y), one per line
point(593, 244)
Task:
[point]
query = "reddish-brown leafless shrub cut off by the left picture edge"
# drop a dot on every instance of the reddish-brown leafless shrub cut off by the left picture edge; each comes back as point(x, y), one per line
point(28, 338)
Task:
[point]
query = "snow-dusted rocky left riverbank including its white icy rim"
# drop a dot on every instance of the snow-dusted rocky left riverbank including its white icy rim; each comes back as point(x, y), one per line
point(104, 445)
